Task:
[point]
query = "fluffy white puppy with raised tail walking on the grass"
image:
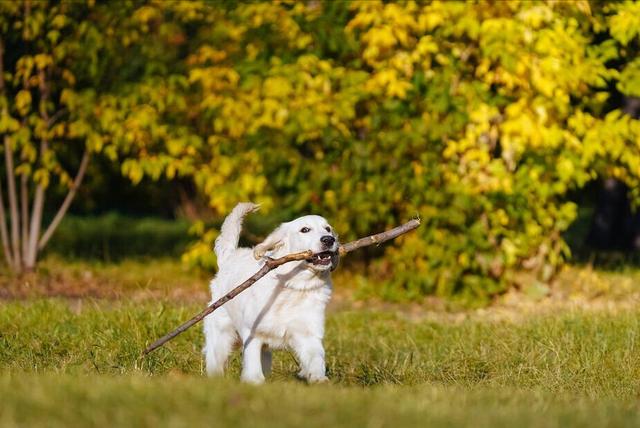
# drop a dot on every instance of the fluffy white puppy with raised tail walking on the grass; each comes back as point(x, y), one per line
point(285, 308)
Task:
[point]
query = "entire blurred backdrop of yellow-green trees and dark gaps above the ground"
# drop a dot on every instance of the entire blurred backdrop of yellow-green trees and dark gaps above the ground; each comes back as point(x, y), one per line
point(499, 123)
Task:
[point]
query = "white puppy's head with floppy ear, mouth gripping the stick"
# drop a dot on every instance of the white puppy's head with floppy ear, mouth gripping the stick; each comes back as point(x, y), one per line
point(310, 232)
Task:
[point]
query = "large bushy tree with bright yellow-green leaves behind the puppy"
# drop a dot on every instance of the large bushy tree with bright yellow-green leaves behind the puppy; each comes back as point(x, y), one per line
point(481, 117)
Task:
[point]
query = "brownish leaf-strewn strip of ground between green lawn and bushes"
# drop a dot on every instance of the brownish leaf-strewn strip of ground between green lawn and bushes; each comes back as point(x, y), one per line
point(576, 287)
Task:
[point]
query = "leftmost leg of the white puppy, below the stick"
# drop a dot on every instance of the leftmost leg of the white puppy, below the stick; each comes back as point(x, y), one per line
point(219, 337)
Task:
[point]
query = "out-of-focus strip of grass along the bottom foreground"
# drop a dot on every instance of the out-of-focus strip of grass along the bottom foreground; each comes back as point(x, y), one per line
point(55, 400)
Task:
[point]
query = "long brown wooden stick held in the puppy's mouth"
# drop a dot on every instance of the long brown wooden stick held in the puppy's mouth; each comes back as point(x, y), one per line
point(274, 263)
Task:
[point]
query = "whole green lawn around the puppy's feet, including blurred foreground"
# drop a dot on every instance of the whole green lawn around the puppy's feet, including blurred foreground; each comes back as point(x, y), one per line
point(76, 363)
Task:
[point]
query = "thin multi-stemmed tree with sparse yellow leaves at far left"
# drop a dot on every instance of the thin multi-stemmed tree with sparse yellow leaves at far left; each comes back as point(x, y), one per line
point(49, 71)
